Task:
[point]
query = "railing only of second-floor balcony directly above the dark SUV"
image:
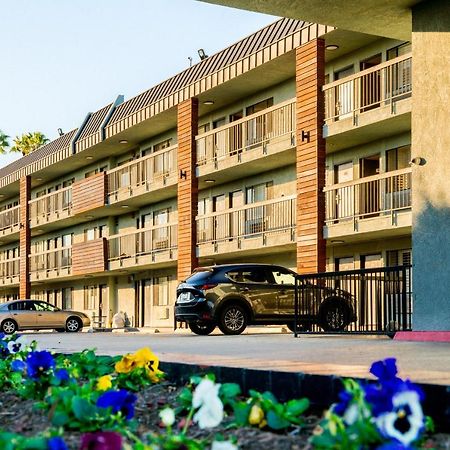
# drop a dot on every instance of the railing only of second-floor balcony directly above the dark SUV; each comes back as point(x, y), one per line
point(264, 218)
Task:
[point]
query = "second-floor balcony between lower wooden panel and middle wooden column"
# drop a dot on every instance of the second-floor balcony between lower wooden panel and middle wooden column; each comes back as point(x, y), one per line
point(147, 246)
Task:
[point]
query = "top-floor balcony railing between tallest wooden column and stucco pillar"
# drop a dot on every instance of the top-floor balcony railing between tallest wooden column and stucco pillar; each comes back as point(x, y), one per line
point(378, 86)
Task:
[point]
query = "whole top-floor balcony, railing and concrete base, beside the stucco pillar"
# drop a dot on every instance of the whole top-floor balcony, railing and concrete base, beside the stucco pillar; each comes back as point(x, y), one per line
point(375, 101)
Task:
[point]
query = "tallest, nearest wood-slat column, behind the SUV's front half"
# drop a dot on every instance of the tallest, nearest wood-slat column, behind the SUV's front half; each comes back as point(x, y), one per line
point(310, 73)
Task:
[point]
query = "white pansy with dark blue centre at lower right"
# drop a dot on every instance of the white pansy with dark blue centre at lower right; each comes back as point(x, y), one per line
point(405, 422)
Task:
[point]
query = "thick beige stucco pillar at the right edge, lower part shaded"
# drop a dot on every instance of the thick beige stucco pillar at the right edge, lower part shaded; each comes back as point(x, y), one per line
point(430, 179)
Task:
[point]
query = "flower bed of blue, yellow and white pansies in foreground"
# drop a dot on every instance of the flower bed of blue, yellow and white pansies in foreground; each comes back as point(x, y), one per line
point(90, 402)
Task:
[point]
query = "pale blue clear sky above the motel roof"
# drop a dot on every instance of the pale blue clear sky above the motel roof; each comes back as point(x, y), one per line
point(61, 59)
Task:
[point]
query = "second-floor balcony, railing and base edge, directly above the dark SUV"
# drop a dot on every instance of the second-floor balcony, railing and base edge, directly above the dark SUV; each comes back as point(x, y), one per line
point(259, 226)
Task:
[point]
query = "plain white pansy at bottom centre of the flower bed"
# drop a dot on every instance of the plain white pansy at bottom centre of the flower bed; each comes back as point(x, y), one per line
point(206, 398)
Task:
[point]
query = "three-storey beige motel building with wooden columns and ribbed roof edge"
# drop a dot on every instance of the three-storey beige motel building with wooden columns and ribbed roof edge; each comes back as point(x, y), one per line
point(292, 146)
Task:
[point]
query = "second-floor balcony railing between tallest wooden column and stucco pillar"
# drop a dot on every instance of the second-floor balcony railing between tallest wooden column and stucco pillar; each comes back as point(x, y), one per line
point(368, 197)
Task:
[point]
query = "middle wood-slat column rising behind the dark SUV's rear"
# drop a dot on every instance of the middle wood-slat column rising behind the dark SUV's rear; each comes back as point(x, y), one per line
point(187, 187)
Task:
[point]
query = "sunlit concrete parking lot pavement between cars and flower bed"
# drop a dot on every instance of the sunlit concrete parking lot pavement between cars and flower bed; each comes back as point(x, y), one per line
point(425, 362)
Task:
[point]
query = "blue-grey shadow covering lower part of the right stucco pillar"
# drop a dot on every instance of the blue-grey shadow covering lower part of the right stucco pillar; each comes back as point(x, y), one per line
point(431, 268)
